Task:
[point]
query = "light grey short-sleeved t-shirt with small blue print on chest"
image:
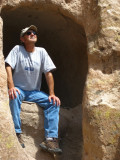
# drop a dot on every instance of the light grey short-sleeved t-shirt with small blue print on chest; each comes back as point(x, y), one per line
point(28, 67)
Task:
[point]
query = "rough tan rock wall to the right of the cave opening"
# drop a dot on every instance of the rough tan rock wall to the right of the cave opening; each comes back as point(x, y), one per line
point(101, 130)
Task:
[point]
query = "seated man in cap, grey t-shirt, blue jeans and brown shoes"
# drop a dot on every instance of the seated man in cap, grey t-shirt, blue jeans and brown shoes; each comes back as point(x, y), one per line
point(24, 66)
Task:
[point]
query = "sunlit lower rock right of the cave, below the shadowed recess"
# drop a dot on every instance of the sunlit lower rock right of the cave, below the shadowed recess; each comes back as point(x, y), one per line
point(101, 119)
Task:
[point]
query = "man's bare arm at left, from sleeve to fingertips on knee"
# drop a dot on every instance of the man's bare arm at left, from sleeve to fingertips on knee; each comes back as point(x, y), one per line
point(11, 87)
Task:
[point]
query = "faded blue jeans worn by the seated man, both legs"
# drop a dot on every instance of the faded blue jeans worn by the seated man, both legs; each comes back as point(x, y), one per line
point(51, 112)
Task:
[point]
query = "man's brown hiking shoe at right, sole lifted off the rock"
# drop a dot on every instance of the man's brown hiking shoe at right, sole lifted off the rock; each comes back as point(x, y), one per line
point(51, 146)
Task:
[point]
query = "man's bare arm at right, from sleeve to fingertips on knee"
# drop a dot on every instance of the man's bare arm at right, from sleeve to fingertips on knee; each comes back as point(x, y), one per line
point(50, 83)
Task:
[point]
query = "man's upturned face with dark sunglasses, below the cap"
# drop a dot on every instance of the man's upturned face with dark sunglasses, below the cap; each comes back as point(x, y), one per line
point(30, 37)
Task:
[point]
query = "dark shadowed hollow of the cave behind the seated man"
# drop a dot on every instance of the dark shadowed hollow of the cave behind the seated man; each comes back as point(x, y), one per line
point(64, 40)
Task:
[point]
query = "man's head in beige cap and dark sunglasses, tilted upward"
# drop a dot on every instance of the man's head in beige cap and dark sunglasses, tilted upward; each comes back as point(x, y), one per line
point(29, 35)
